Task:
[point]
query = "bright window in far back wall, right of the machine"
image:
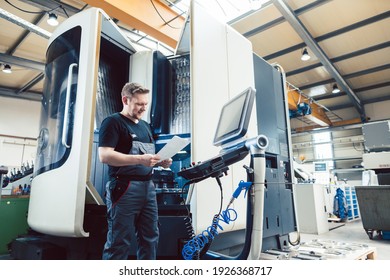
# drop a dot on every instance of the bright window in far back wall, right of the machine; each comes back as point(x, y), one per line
point(323, 148)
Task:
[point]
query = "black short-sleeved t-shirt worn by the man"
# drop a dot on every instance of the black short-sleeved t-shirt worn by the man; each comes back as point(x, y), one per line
point(119, 132)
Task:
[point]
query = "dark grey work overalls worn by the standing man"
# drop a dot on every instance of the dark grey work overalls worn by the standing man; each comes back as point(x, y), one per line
point(132, 207)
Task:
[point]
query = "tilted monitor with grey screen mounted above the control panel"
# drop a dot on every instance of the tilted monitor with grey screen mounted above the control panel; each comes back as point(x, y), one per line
point(234, 118)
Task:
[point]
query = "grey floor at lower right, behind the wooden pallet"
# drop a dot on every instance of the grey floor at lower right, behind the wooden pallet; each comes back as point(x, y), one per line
point(352, 232)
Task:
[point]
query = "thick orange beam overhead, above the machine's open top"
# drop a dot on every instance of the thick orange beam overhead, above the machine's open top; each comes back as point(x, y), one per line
point(153, 17)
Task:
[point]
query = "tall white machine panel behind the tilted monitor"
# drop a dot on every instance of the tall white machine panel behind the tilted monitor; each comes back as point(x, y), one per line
point(222, 66)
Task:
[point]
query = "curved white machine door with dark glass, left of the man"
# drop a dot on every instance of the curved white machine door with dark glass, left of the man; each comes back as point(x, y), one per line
point(61, 186)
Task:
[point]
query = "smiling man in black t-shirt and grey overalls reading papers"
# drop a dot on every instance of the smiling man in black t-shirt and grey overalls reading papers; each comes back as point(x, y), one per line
point(127, 146)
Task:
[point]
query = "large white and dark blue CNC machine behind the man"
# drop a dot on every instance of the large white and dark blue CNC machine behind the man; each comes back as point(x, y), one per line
point(89, 59)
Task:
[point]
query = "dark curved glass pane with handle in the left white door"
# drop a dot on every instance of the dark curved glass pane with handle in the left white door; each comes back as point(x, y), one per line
point(59, 98)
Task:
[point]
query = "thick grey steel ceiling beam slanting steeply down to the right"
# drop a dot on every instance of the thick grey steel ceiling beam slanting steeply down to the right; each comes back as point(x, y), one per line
point(295, 22)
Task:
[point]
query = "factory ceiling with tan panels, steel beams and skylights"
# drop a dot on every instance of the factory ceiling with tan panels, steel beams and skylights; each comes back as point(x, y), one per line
point(348, 42)
